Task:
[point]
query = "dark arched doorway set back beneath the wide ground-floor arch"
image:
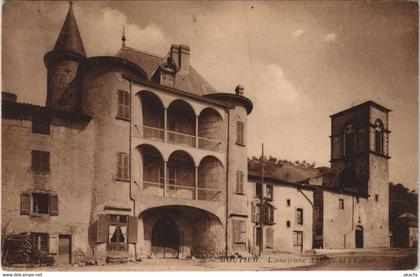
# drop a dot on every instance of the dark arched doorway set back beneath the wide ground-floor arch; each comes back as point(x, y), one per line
point(165, 238)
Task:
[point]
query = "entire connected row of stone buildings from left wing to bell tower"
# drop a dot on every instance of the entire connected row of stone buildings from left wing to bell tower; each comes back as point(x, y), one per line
point(136, 155)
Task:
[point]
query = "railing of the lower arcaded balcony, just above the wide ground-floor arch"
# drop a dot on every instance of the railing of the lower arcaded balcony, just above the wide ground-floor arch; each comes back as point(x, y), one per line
point(181, 191)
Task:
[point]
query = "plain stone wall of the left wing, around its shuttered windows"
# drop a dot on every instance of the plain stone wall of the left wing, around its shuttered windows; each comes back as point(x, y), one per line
point(70, 177)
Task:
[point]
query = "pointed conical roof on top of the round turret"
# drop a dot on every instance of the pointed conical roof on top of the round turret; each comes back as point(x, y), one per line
point(69, 39)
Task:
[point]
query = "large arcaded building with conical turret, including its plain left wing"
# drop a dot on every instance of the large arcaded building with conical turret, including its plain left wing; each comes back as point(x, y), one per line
point(132, 165)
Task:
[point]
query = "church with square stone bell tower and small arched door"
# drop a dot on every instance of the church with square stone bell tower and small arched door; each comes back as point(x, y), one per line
point(352, 208)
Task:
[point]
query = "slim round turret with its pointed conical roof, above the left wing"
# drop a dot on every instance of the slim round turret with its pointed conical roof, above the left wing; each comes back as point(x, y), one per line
point(63, 63)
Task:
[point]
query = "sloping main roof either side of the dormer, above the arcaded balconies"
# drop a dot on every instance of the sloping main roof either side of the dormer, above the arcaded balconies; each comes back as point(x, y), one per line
point(191, 81)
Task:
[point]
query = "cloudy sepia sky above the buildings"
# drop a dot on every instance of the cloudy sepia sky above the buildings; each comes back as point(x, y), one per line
point(299, 61)
